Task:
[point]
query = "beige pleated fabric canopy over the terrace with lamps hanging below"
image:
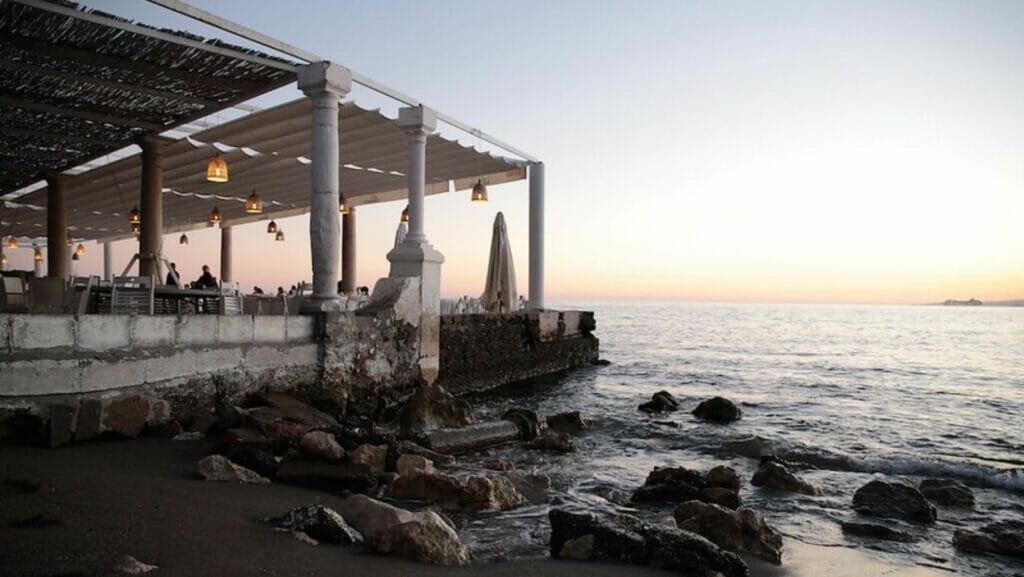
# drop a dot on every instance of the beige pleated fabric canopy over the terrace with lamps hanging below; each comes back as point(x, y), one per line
point(267, 152)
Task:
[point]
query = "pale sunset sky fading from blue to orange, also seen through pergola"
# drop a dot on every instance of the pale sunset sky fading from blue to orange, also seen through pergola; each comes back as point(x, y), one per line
point(796, 152)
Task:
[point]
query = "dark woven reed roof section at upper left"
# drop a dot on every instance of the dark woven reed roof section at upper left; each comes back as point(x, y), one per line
point(76, 86)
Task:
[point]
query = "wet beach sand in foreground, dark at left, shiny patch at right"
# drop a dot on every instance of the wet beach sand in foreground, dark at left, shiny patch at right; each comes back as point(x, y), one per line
point(144, 499)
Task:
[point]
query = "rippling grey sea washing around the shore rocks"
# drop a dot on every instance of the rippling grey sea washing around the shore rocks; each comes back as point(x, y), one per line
point(846, 394)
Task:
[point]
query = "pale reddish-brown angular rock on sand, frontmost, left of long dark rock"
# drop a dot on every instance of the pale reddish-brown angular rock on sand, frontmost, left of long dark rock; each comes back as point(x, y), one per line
point(429, 540)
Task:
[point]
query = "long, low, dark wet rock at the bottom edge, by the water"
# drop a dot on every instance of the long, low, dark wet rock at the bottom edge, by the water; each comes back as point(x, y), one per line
point(629, 541)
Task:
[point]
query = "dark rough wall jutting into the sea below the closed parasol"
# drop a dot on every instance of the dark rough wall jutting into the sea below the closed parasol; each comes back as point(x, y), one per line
point(481, 352)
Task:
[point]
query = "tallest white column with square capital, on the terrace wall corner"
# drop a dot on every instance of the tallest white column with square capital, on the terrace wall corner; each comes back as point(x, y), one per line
point(325, 85)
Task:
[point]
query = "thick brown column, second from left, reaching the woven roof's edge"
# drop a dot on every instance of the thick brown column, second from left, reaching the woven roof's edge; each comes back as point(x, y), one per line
point(152, 204)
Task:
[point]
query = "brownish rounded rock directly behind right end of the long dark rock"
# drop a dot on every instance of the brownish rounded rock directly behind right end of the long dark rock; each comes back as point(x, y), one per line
point(744, 530)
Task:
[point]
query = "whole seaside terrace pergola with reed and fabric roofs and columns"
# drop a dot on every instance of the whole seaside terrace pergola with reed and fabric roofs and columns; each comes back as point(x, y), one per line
point(80, 86)
